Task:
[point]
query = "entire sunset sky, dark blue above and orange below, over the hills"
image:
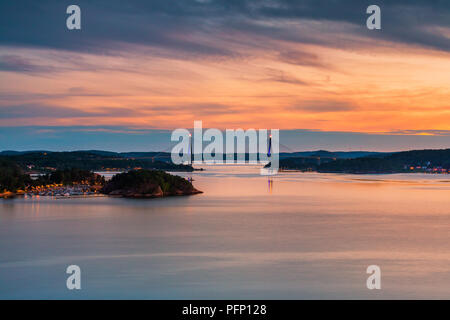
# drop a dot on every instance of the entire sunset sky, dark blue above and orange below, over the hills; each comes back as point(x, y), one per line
point(139, 69)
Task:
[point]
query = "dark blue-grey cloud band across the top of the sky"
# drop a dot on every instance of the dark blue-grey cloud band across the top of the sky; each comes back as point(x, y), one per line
point(193, 28)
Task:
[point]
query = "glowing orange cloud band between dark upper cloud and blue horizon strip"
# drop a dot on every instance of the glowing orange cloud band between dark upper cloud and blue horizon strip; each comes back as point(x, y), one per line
point(292, 86)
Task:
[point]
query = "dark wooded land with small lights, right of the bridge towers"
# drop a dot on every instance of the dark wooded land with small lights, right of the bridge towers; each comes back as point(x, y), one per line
point(428, 161)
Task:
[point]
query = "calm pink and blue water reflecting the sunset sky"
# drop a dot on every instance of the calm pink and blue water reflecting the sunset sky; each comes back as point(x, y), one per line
point(303, 235)
